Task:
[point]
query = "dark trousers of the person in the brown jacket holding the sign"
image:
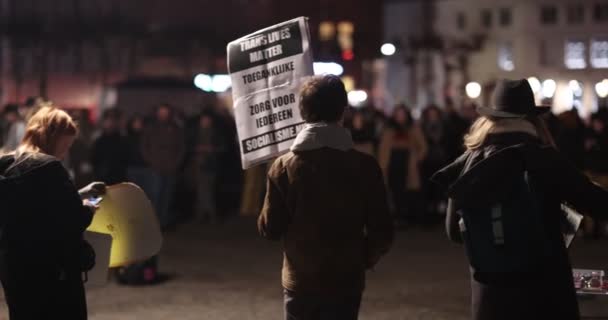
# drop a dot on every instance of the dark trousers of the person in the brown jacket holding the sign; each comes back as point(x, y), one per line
point(313, 307)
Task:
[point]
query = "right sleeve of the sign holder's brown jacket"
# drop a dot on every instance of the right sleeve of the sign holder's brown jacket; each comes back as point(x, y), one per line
point(379, 224)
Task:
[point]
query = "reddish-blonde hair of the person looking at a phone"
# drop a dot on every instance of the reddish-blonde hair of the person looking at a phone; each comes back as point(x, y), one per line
point(44, 129)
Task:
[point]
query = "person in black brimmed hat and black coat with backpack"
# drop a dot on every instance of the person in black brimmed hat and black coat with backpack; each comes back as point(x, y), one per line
point(505, 204)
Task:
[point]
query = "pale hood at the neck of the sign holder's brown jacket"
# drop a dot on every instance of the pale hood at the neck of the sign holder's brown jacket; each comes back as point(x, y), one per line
point(322, 135)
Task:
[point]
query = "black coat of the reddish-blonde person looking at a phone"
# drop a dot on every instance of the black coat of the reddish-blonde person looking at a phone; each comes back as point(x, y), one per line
point(42, 251)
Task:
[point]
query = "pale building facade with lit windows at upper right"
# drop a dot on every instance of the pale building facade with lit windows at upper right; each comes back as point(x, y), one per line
point(561, 45)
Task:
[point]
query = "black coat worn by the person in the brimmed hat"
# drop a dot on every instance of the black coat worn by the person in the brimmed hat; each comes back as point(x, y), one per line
point(545, 292)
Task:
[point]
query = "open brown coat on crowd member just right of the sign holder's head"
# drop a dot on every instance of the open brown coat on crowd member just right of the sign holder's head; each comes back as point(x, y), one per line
point(418, 148)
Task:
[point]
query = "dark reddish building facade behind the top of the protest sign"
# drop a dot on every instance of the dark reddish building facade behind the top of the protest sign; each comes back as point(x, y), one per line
point(75, 52)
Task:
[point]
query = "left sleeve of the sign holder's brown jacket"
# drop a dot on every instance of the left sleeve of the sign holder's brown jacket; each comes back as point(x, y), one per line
point(274, 218)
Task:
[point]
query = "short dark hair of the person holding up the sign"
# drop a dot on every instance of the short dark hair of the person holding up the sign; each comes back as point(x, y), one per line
point(323, 99)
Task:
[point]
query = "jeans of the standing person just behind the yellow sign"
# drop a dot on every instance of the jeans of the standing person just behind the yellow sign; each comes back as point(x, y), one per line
point(159, 188)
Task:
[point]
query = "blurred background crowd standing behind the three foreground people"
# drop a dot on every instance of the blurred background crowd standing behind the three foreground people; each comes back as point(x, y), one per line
point(189, 167)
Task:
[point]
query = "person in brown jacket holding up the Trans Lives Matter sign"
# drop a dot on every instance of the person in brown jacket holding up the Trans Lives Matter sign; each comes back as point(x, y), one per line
point(327, 203)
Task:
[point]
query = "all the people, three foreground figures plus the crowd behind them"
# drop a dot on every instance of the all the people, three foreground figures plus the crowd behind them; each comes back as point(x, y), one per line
point(508, 169)
